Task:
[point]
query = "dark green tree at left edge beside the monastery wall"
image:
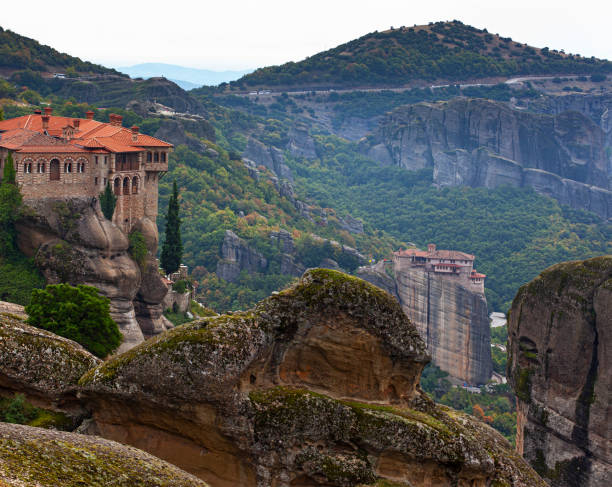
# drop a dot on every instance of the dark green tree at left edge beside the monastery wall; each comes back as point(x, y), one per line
point(10, 202)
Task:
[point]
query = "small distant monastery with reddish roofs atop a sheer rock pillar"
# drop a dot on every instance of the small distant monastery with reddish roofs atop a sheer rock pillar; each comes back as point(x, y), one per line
point(452, 263)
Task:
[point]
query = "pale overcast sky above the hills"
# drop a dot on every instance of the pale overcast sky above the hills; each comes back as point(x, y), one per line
point(226, 34)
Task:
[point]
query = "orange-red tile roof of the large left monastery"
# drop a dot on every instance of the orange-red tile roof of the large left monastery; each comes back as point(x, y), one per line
point(17, 133)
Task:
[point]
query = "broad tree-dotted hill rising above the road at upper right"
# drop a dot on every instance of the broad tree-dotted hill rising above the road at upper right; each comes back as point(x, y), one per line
point(439, 51)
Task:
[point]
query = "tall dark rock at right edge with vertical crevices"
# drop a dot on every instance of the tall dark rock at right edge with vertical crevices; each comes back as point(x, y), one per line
point(559, 366)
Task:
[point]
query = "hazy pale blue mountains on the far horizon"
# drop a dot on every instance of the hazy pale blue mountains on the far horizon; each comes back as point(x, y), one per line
point(186, 78)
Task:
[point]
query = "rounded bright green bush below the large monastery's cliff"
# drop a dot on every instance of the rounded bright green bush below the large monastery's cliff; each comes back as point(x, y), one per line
point(78, 313)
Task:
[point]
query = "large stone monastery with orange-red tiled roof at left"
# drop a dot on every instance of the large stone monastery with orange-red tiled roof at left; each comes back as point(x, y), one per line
point(59, 157)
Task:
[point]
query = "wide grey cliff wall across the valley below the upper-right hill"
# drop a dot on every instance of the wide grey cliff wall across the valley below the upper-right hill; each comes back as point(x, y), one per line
point(476, 142)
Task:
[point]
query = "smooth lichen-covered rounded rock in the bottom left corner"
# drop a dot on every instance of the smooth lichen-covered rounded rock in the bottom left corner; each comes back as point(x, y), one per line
point(35, 457)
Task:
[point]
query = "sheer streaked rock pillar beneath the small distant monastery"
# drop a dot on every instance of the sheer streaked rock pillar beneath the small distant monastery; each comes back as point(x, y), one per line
point(452, 320)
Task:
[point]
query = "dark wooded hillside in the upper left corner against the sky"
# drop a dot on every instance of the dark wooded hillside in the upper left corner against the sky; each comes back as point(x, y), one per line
point(19, 53)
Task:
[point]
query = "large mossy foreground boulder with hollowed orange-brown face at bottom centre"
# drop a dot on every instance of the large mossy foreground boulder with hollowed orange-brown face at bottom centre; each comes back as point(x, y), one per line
point(316, 385)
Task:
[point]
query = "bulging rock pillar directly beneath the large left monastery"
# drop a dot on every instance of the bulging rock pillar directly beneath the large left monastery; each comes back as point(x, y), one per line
point(72, 242)
